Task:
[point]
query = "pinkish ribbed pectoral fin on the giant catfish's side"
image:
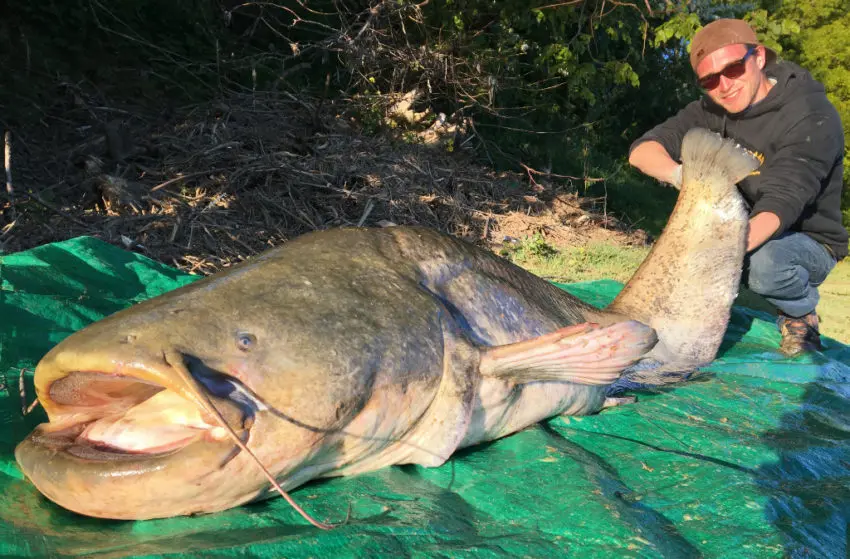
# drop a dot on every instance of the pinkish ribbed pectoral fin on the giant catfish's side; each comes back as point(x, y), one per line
point(582, 354)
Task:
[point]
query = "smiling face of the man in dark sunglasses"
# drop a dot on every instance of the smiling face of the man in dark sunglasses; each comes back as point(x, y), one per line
point(737, 93)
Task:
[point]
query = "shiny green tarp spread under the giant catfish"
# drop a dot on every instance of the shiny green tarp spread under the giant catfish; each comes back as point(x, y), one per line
point(751, 459)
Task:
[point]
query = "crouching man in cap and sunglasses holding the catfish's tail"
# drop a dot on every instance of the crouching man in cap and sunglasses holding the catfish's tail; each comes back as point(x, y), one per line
point(780, 113)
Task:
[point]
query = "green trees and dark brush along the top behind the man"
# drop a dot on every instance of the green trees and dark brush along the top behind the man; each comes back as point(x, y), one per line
point(559, 86)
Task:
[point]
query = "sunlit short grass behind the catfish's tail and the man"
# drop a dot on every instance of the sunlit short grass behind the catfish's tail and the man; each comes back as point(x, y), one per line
point(601, 261)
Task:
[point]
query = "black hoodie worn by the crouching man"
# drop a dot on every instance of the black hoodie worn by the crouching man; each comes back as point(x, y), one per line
point(798, 133)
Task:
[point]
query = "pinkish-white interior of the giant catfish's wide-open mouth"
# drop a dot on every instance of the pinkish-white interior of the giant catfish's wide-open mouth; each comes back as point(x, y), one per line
point(103, 416)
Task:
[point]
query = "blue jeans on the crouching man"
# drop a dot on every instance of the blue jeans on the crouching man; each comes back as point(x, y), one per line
point(787, 272)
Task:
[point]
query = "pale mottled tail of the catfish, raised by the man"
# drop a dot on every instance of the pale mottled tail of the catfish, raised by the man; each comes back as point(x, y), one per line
point(686, 286)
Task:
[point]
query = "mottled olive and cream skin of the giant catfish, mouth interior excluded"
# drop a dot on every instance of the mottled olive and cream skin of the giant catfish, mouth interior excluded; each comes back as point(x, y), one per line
point(355, 349)
